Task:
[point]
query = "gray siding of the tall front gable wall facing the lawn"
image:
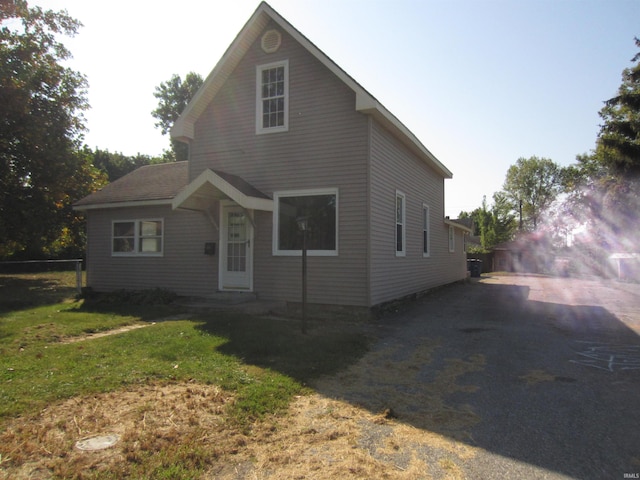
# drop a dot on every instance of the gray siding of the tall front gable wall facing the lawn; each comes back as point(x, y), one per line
point(325, 147)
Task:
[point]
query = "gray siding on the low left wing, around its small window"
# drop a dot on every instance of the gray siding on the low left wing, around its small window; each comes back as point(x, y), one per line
point(183, 268)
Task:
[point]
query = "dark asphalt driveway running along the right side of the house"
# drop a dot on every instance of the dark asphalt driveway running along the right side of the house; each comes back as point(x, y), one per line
point(540, 376)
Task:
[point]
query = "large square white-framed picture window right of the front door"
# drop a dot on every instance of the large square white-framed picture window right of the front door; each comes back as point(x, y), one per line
point(319, 207)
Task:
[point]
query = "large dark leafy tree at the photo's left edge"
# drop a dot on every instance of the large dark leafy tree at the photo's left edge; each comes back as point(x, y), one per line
point(41, 127)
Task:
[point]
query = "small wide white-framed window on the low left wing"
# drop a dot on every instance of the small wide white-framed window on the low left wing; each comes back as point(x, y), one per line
point(137, 237)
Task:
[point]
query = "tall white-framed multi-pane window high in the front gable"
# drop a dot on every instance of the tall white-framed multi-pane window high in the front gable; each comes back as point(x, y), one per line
point(272, 97)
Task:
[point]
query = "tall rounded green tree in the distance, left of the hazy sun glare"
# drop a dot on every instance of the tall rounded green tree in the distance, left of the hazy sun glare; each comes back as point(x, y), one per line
point(531, 186)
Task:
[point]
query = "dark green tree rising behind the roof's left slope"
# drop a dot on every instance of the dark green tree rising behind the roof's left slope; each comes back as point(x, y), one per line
point(173, 96)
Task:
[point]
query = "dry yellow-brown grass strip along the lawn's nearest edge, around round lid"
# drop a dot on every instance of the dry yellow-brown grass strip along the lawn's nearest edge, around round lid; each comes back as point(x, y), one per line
point(179, 430)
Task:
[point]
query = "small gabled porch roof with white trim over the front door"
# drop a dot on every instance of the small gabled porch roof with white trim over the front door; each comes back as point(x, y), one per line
point(214, 185)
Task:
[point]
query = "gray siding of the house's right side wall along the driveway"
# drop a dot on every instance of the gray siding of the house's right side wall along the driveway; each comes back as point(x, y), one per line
point(394, 168)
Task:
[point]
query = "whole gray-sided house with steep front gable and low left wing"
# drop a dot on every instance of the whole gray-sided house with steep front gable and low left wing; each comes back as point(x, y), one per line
point(278, 131)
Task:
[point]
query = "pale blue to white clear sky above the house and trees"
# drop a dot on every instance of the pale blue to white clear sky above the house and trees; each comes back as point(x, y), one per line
point(480, 83)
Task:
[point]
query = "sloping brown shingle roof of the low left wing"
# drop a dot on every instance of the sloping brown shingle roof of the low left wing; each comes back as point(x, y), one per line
point(147, 185)
